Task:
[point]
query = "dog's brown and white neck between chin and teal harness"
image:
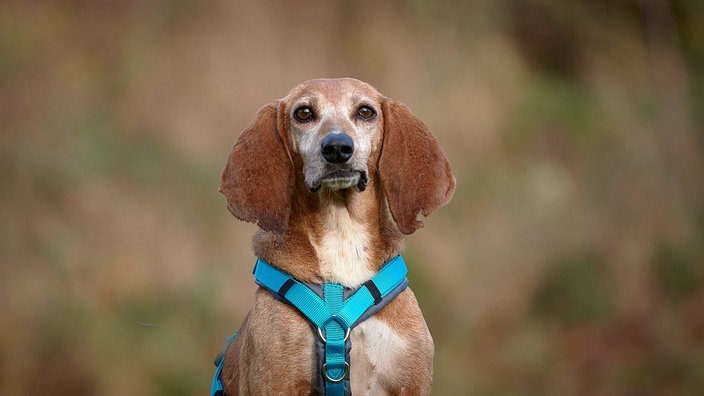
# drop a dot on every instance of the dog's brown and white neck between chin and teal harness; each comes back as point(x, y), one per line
point(334, 236)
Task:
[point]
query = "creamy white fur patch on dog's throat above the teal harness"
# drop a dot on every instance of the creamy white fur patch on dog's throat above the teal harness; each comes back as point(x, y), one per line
point(343, 248)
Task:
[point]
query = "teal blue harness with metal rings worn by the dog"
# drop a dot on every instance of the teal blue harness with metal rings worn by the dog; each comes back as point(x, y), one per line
point(332, 310)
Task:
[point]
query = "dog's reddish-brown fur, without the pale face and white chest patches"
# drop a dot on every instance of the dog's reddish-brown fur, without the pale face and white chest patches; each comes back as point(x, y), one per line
point(263, 183)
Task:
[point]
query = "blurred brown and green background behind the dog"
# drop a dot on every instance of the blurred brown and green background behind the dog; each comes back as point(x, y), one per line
point(570, 262)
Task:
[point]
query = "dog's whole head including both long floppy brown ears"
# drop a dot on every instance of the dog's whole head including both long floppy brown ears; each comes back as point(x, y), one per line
point(335, 133)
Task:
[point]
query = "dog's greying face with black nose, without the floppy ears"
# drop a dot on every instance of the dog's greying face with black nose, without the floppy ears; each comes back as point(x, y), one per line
point(333, 125)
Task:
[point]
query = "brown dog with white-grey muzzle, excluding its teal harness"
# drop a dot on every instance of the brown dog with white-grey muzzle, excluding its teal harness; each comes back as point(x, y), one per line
point(334, 175)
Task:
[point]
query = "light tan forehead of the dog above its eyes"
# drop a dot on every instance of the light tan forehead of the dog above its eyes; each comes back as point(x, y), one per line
point(334, 90)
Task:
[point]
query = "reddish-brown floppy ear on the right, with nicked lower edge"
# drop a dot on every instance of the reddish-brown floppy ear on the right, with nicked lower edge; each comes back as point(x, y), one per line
point(415, 175)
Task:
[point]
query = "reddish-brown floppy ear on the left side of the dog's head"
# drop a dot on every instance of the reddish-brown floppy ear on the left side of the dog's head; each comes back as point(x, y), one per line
point(258, 177)
